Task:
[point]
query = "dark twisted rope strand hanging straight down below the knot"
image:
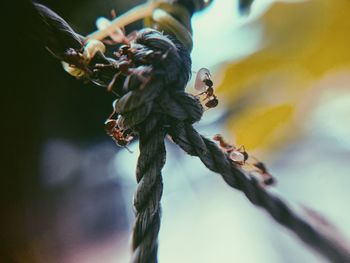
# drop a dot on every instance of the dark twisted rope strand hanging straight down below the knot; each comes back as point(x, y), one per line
point(149, 191)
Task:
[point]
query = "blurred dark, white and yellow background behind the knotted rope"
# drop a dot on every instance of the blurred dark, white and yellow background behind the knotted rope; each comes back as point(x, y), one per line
point(282, 76)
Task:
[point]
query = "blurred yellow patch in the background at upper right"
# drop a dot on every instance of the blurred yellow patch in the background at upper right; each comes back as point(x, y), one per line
point(302, 42)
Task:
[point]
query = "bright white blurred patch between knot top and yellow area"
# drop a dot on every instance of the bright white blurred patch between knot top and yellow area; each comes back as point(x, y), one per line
point(219, 34)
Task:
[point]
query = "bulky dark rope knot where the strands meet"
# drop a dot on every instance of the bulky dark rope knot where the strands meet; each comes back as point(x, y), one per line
point(154, 83)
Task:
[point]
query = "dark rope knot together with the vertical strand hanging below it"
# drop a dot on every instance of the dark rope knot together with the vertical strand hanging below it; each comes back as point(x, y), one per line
point(144, 109)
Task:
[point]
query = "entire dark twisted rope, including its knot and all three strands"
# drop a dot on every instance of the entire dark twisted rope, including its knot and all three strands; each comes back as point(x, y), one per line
point(160, 107)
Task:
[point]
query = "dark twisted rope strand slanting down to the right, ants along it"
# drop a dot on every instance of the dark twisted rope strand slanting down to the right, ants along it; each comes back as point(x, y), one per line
point(195, 144)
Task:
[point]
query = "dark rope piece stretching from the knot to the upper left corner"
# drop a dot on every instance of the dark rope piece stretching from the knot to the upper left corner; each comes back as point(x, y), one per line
point(53, 32)
